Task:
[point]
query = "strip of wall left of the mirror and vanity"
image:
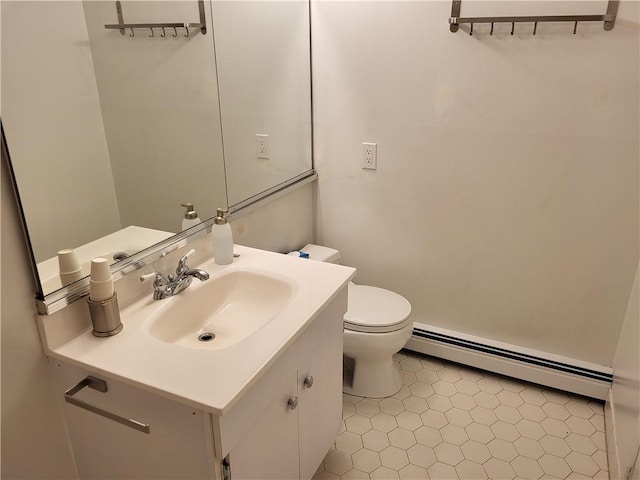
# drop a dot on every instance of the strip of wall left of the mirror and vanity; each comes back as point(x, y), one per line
point(34, 438)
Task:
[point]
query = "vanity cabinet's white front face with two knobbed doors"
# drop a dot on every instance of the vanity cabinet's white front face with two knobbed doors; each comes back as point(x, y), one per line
point(290, 437)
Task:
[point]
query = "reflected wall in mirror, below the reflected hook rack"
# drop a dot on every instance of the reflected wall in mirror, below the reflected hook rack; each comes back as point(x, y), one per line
point(159, 101)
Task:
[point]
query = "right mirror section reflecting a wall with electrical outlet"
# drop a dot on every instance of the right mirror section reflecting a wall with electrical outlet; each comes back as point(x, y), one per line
point(264, 79)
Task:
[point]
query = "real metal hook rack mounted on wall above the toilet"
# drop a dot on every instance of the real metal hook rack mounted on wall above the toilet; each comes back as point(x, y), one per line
point(609, 18)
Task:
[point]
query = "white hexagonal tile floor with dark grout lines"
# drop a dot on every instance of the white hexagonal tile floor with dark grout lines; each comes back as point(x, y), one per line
point(454, 422)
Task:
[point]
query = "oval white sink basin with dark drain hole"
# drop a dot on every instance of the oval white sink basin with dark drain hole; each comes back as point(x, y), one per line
point(221, 311)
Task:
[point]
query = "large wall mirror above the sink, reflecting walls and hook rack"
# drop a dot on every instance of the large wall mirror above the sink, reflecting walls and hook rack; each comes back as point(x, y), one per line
point(108, 133)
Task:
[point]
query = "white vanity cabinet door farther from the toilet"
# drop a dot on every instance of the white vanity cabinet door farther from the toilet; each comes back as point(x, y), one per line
point(269, 450)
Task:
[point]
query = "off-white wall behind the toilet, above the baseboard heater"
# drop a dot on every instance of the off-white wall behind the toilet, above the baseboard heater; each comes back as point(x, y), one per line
point(505, 203)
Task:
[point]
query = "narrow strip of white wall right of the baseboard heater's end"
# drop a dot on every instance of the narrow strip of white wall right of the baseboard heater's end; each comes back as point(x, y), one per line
point(623, 409)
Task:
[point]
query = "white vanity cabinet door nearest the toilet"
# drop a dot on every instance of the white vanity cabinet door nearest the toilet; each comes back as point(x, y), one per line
point(320, 413)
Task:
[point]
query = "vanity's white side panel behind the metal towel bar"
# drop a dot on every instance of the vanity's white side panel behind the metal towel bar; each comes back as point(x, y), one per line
point(176, 446)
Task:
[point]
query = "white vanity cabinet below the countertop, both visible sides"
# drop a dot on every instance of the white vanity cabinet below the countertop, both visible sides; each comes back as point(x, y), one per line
point(280, 427)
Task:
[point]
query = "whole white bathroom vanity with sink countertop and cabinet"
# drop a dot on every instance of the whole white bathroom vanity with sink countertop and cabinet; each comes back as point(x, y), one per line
point(154, 402)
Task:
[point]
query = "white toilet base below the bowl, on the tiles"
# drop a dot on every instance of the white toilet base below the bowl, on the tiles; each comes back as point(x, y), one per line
point(374, 378)
